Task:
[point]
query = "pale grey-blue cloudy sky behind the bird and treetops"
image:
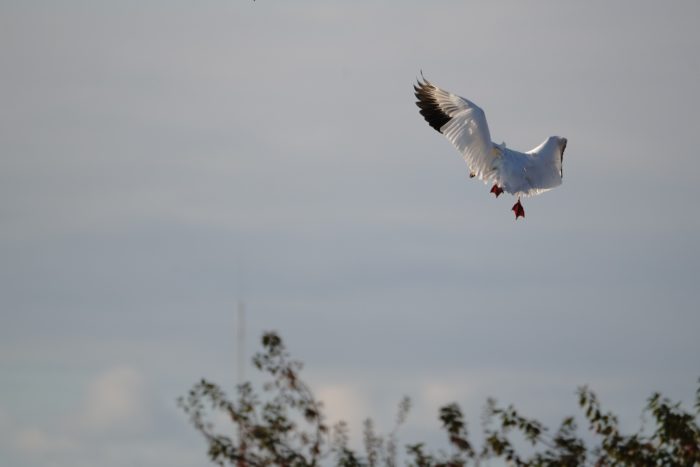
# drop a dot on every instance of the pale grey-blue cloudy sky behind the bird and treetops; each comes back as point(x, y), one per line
point(162, 160)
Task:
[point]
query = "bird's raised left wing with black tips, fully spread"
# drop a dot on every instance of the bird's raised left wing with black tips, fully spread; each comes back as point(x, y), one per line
point(463, 123)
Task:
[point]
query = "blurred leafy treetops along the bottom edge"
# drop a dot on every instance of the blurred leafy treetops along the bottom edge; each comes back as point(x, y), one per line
point(284, 425)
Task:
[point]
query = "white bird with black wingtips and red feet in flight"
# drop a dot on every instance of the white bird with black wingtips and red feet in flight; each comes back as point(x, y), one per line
point(464, 124)
